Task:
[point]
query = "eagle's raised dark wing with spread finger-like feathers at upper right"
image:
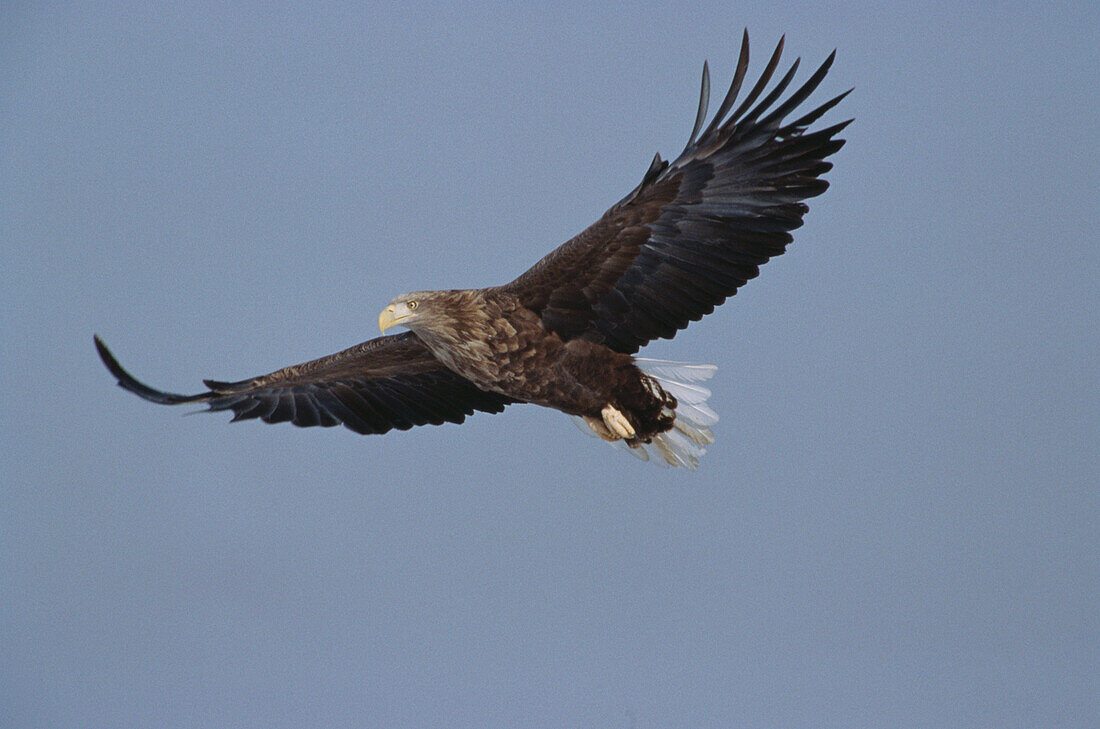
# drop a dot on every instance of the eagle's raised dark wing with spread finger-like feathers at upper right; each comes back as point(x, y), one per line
point(695, 230)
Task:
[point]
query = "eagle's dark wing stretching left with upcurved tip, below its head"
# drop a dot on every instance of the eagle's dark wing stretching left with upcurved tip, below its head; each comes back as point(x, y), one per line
point(391, 382)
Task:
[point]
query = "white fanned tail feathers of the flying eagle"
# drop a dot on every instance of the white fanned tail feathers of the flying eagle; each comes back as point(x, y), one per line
point(691, 434)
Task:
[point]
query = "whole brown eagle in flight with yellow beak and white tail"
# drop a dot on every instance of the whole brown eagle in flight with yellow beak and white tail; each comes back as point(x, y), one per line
point(565, 334)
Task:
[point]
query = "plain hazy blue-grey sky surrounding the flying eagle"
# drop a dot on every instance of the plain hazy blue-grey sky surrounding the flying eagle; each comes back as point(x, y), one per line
point(898, 526)
